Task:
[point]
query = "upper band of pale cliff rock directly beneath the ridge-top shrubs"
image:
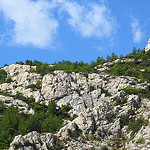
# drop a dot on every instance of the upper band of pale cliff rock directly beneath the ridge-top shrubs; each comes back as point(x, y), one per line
point(80, 91)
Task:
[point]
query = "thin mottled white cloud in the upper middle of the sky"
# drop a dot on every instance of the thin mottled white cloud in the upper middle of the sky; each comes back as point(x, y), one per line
point(89, 20)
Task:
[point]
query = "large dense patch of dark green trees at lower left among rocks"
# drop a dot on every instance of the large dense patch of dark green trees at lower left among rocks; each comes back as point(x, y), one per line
point(46, 119)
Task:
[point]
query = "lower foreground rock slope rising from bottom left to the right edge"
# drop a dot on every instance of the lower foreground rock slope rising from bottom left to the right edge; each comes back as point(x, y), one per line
point(98, 127)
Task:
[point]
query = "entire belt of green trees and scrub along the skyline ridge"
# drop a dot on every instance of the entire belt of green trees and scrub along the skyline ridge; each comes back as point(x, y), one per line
point(138, 65)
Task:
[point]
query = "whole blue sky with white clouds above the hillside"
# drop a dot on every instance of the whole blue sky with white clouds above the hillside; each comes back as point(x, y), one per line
point(75, 30)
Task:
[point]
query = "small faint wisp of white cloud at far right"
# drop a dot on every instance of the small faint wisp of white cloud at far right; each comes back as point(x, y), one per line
point(136, 30)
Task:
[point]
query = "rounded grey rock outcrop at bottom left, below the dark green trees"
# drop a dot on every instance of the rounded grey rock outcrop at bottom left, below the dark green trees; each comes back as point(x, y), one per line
point(34, 140)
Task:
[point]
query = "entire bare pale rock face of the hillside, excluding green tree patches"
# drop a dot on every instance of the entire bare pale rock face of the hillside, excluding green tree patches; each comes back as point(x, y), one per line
point(97, 99)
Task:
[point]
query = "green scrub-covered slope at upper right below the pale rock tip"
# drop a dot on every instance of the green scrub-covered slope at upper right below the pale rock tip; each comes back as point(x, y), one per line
point(139, 67)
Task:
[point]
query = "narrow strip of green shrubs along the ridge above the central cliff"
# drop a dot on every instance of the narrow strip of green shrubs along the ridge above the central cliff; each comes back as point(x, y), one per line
point(67, 66)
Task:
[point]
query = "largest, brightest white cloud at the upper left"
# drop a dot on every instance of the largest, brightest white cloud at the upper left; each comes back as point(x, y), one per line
point(32, 22)
